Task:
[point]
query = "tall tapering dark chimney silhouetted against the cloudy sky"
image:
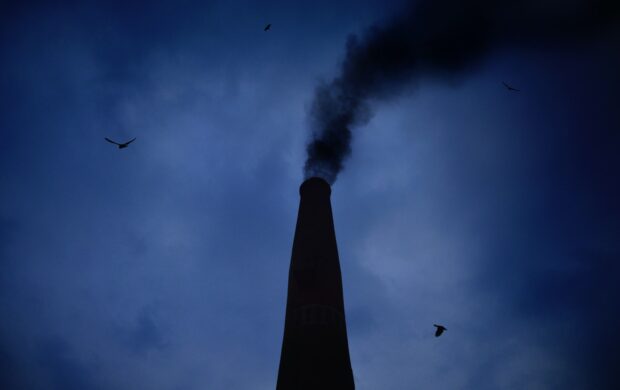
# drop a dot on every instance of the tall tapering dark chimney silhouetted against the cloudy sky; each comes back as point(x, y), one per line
point(315, 350)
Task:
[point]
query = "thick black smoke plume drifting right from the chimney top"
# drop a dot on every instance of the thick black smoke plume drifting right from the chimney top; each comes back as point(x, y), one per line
point(435, 37)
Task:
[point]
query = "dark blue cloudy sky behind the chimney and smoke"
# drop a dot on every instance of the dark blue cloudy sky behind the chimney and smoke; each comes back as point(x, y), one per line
point(164, 265)
